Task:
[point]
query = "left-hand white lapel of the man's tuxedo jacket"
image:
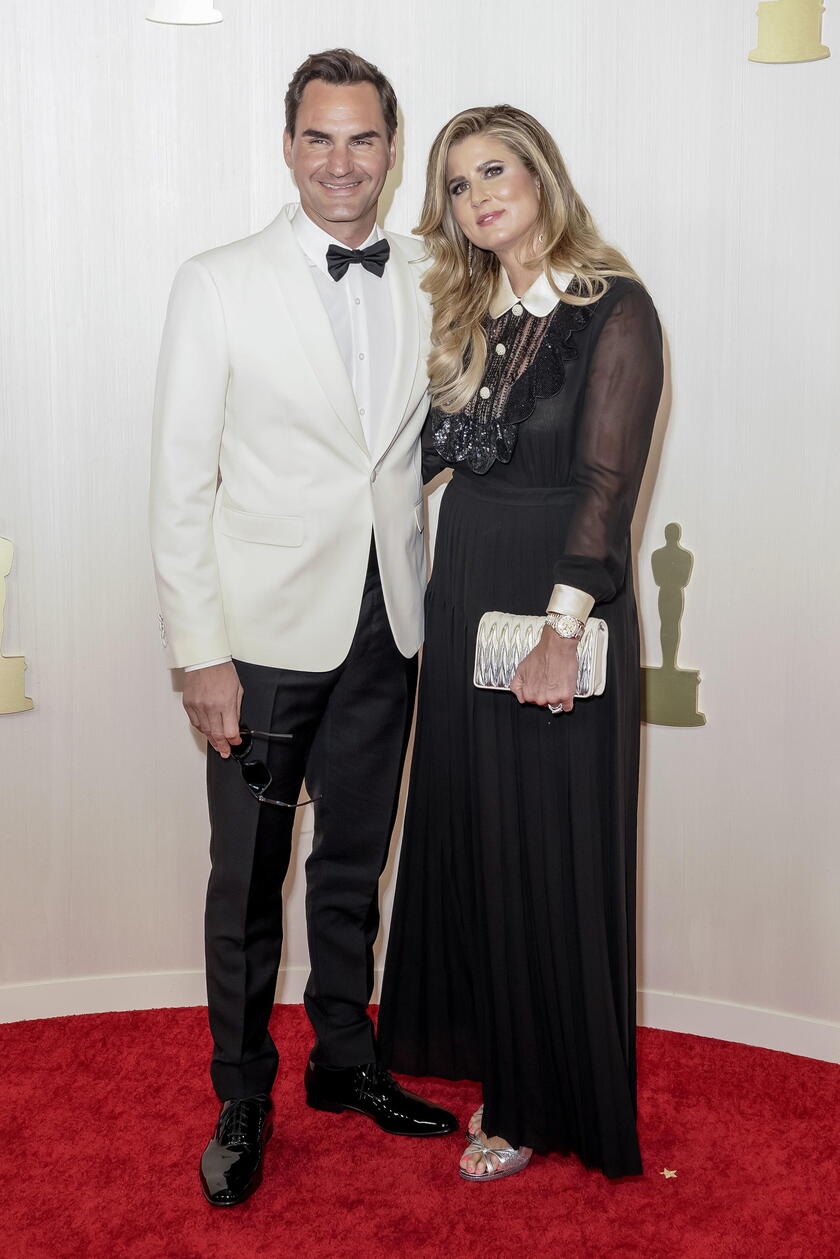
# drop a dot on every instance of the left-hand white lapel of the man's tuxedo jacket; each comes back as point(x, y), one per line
point(312, 322)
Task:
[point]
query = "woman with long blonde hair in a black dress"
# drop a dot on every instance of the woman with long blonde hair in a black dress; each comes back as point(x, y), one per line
point(512, 952)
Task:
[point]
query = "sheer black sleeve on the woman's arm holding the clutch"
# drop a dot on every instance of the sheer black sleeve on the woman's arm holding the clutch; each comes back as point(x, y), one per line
point(624, 387)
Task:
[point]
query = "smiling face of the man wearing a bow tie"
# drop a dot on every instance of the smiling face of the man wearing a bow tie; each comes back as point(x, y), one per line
point(341, 157)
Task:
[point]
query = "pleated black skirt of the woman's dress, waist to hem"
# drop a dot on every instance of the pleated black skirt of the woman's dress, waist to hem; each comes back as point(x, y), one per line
point(512, 951)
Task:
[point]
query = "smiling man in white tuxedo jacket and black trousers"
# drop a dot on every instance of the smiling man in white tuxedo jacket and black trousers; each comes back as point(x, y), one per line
point(293, 378)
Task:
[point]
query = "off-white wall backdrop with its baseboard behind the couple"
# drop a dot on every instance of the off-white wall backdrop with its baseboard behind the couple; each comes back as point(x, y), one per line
point(128, 147)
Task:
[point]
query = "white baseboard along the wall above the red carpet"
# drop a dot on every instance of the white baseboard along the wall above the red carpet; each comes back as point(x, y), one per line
point(672, 1012)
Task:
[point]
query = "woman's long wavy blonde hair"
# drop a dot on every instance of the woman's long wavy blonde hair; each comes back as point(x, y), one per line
point(462, 279)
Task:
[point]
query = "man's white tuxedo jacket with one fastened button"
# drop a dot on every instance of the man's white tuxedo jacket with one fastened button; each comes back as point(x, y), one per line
point(264, 493)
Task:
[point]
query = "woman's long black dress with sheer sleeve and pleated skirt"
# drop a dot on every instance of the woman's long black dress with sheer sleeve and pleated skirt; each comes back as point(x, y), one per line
point(512, 952)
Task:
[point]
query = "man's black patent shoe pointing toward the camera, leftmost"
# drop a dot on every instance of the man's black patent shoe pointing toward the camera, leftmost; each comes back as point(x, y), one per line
point(232, 1164)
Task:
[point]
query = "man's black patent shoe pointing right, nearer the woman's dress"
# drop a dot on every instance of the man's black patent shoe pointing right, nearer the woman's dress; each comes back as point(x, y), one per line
point(372, 1091)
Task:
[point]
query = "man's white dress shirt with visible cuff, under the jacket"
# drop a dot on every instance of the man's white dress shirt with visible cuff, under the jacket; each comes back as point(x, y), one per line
point(361, 312)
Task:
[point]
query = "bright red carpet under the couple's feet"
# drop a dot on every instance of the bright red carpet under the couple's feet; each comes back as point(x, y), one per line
point(104, 1119)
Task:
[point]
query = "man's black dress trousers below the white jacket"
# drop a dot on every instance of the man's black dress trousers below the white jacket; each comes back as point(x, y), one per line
point(349, 731)
